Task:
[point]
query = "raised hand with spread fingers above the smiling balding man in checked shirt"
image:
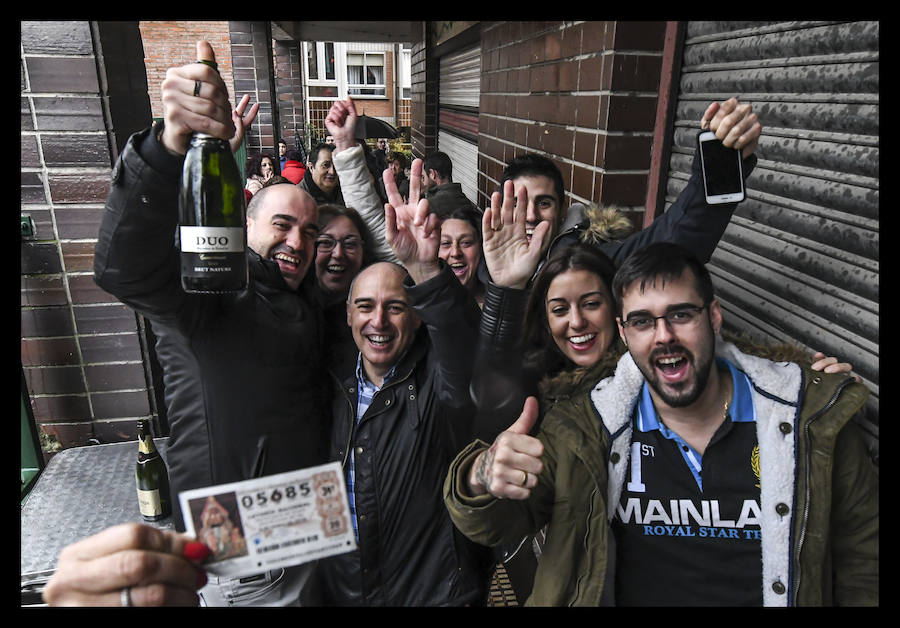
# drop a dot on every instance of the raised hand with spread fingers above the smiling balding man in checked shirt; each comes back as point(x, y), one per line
point(413, 233)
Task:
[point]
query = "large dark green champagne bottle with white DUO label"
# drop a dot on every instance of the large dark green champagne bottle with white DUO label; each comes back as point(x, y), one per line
point(212, 232)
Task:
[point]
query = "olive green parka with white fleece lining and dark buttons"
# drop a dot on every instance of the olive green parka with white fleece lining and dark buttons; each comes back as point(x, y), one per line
point(819, 496)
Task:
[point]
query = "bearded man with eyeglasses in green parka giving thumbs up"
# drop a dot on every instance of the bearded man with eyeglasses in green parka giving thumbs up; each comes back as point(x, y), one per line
point(695, 476)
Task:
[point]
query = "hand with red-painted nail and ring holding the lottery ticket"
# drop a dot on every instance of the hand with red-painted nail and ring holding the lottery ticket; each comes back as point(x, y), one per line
point(129, 564)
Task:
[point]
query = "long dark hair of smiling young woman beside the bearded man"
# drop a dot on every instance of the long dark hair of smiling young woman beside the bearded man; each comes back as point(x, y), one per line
point(540, 346)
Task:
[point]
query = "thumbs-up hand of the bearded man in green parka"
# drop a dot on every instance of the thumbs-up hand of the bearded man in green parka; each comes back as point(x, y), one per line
point(509, 468)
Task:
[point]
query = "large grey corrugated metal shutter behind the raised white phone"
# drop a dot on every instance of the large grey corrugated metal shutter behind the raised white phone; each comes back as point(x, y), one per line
point(799, 261)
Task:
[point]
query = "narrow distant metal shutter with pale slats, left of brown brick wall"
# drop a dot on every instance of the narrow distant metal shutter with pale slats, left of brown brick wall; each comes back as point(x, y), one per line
point(459, 93)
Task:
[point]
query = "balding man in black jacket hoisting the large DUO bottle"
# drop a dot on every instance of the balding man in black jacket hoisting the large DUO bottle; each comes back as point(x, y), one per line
point(246, 393)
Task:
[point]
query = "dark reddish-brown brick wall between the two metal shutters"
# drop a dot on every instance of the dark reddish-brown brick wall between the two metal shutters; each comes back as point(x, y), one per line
point(583, 93)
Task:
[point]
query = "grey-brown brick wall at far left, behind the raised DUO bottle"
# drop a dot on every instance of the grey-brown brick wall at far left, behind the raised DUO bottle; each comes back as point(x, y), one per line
point(80, 350)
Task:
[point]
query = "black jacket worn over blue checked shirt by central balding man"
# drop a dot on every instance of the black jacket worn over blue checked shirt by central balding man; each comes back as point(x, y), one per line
point(410, 554)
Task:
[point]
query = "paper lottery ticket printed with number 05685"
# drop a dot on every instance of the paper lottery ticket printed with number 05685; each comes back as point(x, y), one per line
point(270, 522)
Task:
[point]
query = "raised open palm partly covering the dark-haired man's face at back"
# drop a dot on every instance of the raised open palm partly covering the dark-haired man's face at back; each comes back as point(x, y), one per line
point(511, 259)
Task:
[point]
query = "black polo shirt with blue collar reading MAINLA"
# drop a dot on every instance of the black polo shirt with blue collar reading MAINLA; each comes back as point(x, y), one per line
point(687, 526)
